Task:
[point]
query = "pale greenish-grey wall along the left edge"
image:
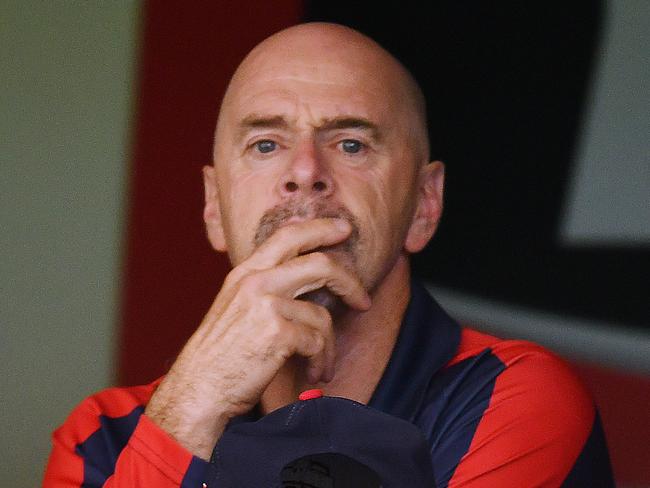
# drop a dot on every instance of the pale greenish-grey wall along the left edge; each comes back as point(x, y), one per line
point(66, 96)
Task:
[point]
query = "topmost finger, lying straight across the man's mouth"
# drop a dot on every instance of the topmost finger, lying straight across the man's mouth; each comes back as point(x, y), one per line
point(294, 239)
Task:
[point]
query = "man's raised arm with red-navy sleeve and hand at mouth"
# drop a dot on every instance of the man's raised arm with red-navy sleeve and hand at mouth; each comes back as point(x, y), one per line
point(253, 327)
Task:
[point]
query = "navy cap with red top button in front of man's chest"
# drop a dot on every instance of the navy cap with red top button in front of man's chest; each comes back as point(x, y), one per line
point(324, 442)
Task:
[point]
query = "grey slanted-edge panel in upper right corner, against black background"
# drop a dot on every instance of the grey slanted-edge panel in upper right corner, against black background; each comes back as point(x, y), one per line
point(609, 196)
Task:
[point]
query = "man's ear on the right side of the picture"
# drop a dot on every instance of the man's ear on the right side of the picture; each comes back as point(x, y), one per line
point(431, 183)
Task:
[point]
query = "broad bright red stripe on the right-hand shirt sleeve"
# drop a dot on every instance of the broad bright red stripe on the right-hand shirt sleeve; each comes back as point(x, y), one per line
point(535, 426)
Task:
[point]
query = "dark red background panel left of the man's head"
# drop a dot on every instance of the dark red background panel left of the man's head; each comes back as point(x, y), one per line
point(171, 274)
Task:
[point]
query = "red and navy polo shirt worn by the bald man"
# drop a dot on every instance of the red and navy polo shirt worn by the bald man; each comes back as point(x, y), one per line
point(495, 413)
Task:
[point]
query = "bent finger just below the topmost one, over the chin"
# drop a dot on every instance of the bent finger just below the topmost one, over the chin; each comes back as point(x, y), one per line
point(311, 272)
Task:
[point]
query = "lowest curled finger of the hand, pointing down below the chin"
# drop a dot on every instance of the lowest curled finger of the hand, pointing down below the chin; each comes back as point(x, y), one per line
point(306, 314)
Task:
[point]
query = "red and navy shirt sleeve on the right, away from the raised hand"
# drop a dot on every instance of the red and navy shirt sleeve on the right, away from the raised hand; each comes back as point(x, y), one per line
point(516, 415)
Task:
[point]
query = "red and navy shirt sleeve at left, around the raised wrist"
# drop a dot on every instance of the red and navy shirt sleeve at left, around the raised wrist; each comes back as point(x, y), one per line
point(107, 441)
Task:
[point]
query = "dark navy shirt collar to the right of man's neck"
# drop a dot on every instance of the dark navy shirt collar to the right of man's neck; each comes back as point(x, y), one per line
point(427, 340)
